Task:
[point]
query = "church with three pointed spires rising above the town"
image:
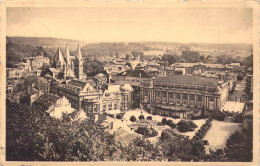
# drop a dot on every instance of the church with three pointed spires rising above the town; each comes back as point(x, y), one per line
point(64, 67)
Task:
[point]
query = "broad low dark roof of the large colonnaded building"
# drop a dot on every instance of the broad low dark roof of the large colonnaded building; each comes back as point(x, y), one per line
point(185, 79)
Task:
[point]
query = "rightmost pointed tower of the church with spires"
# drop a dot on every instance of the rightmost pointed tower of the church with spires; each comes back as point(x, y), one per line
point(78, 65)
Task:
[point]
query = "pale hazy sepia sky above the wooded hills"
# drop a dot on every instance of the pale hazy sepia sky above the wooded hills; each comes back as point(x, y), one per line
point(184, 25)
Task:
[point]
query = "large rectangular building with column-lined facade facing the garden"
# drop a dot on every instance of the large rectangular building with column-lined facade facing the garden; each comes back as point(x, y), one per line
point(180, 95)
